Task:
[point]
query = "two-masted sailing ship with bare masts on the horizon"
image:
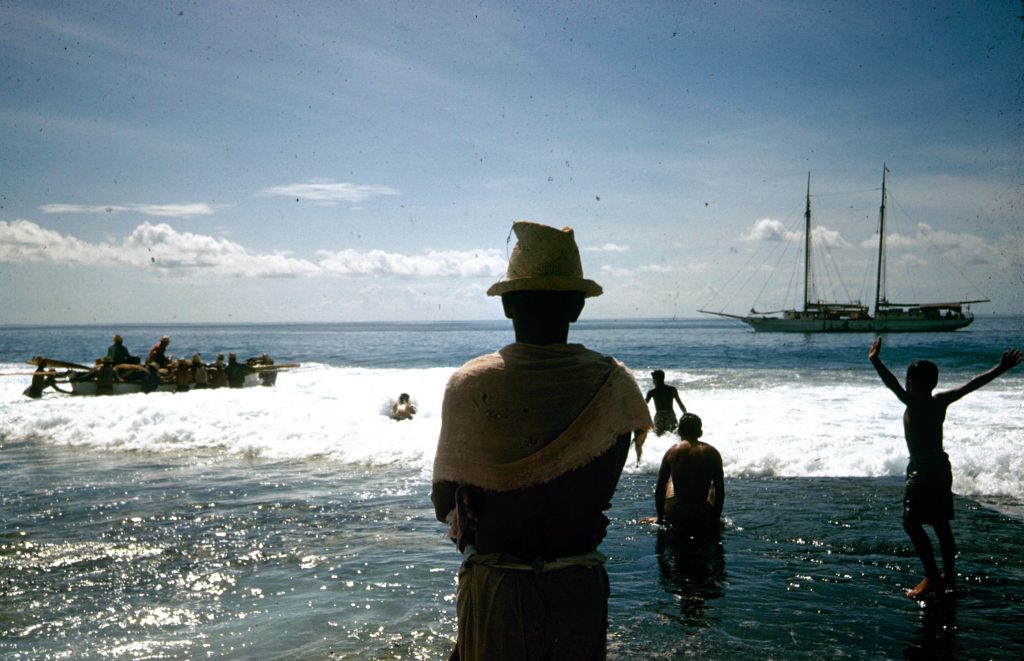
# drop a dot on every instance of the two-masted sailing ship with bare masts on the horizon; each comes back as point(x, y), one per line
point(824, 317)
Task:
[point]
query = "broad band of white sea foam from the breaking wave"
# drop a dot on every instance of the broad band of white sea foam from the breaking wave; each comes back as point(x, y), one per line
point(761, 429)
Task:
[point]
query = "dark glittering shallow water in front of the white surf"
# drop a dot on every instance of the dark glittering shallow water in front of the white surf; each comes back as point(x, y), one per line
point(126, 556)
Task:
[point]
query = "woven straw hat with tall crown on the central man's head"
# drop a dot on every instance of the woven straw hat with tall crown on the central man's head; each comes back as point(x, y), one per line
point(544, 259)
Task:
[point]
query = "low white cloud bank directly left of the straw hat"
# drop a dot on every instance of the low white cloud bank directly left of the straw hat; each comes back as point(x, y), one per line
point(433, 263)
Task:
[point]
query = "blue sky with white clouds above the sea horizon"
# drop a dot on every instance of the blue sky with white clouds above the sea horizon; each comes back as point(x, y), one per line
point(325, 162)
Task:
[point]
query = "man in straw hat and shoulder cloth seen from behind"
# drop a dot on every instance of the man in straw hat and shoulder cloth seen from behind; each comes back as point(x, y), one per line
point(534, 438)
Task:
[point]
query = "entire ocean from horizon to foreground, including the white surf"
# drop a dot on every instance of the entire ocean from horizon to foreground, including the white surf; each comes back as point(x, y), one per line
point(295, 522)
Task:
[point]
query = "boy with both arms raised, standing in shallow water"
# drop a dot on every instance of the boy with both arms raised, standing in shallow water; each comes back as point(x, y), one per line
point(928, 498)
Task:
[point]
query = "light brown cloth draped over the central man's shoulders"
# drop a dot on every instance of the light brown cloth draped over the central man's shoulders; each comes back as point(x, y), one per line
point(529, 414)
